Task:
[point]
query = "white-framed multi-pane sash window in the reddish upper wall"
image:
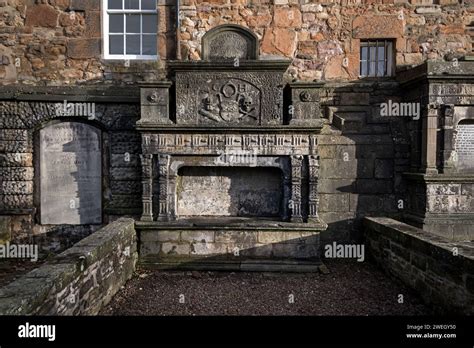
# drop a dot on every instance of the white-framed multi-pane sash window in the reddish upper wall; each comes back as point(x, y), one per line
point(105, 30)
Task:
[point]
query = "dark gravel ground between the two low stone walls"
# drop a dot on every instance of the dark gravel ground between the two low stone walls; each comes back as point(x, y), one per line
point(350, 289)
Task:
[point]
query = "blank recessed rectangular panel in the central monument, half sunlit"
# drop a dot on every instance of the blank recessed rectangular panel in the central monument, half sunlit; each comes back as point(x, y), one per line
point(206, 191)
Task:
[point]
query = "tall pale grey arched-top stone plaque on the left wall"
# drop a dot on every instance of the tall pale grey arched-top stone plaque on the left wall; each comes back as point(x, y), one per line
point(70, 174)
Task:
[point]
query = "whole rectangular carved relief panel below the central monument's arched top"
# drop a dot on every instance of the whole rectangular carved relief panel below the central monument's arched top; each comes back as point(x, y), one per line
point(229, 98)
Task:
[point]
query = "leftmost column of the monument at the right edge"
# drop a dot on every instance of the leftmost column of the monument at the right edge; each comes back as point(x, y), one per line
point(429, 139)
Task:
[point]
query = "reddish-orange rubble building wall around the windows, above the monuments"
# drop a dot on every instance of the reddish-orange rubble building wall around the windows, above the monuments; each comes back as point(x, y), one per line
point(59, 42)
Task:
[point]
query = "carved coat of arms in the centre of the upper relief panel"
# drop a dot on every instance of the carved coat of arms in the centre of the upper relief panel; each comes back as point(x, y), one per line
point(230, 101)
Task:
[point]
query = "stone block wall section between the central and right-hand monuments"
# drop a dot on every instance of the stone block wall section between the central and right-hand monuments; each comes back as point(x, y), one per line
point(362, 158)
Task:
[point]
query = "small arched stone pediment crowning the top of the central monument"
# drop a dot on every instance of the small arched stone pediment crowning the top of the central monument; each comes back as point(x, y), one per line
point(230, 41)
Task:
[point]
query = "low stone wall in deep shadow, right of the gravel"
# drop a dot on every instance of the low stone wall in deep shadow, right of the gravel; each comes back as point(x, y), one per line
point(441, 271)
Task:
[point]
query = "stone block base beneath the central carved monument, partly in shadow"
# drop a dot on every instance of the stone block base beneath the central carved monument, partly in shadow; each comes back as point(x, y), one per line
point(228, 248)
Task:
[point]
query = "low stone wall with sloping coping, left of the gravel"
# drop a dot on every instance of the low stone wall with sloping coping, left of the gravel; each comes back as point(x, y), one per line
point(78, 281)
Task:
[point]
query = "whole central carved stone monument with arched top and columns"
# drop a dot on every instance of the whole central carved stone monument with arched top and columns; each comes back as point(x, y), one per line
point(227, 175)
